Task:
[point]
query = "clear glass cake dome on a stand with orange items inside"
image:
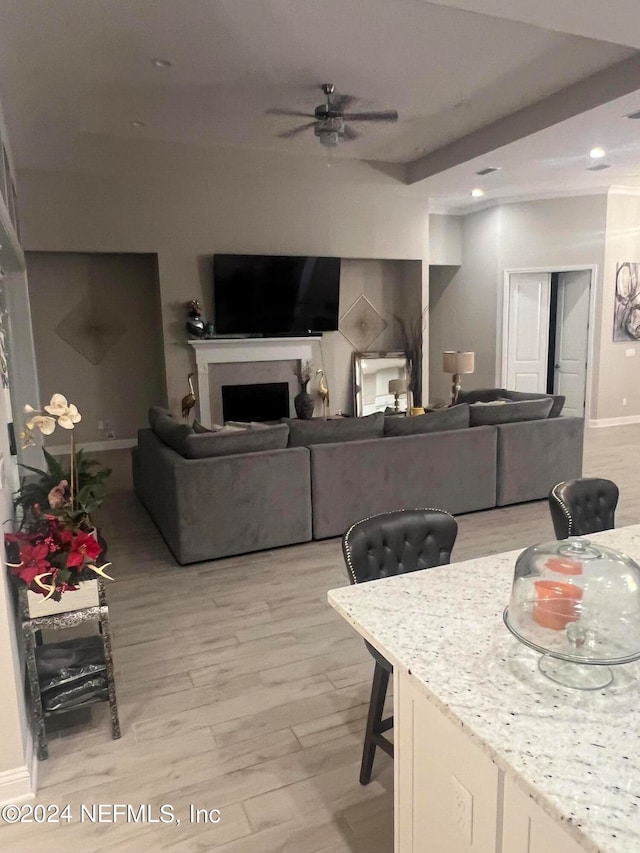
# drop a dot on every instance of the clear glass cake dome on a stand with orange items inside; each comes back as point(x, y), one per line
point(578, 604)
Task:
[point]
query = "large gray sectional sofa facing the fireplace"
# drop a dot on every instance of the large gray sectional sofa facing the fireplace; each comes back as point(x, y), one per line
point(219, 494)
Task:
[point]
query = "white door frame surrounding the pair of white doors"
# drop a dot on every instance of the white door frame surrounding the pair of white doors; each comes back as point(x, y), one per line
point(503, 322)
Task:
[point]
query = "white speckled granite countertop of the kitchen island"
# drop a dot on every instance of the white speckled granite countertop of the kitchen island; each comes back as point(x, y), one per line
point(575, 752)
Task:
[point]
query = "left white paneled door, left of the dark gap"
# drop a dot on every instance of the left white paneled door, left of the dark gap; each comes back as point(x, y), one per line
point(528, 331)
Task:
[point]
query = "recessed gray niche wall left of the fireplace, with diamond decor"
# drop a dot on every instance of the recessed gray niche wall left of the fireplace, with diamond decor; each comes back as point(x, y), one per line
point(130, 376)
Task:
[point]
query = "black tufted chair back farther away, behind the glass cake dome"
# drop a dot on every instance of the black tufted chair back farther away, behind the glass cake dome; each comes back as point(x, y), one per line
point(585, 505)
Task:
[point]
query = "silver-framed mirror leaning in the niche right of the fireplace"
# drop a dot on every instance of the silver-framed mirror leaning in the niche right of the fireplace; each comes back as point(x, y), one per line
point(380, 382)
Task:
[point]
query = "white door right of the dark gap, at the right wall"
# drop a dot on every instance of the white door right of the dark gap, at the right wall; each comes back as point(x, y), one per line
point(572, 333)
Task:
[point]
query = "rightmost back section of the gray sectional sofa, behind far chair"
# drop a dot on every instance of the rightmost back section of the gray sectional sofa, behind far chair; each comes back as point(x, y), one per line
point(535, 455)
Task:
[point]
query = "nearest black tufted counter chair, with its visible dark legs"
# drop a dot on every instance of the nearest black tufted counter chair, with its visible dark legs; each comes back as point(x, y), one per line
point(381, 546)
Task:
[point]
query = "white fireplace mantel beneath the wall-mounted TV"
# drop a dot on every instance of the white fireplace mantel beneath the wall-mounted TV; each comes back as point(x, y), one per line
point(234, 350)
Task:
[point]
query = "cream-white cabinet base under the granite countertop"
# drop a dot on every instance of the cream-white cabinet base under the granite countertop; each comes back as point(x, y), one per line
point(449, 794)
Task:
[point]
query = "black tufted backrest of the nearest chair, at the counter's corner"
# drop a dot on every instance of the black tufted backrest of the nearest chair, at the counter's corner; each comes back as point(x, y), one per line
point(393, 543)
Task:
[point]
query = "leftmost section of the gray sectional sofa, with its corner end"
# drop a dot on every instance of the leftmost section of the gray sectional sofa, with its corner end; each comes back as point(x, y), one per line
point(225, 505)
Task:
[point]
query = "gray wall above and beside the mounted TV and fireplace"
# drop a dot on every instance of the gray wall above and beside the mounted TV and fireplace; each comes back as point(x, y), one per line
point(185, 203)
